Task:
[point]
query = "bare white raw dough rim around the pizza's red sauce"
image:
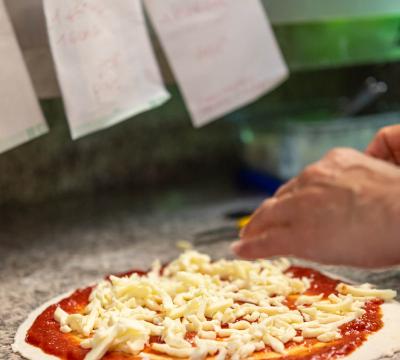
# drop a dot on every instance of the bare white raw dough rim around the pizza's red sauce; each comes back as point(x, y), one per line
point(383, 344)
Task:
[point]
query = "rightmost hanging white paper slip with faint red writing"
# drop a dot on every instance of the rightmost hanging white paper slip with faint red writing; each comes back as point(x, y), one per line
point(223, 52)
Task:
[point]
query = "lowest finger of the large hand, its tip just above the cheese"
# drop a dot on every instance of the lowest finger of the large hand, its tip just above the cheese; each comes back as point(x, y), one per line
point(277, 241)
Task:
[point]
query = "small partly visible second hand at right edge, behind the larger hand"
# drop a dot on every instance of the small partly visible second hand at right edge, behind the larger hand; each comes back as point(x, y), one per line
point(386, 145)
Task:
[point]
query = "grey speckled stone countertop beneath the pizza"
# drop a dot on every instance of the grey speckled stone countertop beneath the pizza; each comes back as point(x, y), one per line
point(57, 247)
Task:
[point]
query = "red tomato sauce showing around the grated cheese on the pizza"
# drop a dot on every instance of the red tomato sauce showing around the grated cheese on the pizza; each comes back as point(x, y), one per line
point(45, 331)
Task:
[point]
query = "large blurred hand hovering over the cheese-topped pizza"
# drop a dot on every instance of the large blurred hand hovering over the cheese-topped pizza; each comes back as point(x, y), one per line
point(344, 209)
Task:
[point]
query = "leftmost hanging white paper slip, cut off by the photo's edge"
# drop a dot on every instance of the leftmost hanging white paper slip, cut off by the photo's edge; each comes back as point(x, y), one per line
point(21, 118)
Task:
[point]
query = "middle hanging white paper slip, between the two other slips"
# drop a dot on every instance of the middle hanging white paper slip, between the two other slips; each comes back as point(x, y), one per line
point(105, 64)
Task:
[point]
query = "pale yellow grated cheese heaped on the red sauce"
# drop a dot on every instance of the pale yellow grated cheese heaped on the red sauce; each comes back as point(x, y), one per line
point(235, 308)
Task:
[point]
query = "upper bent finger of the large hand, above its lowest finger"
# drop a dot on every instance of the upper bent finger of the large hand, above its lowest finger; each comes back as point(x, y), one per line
point(273, 212)
